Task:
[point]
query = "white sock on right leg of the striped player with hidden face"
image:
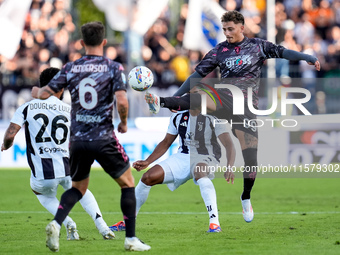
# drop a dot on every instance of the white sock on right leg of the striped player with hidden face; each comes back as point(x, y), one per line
point(208, 194)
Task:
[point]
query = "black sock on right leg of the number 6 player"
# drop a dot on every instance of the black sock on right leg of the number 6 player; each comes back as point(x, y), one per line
point(128, 206)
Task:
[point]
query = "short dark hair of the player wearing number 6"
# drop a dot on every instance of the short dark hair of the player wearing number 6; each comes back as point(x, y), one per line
point(93, 33)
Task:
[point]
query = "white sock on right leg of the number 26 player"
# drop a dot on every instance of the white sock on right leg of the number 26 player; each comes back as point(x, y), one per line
point(90, 205)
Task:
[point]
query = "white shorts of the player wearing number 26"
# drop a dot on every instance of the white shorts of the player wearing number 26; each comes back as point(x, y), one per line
point(49, 187)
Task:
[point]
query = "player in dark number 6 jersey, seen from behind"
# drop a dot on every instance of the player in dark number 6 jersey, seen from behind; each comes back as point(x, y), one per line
point(93, 81)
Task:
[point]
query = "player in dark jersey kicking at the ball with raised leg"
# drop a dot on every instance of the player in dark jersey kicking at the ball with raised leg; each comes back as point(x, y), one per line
point(240, 60)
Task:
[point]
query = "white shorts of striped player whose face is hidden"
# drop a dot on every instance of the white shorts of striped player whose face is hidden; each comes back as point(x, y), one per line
point(179, 168)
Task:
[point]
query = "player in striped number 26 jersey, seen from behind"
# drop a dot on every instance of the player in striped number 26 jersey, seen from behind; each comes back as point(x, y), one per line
point(47, 125)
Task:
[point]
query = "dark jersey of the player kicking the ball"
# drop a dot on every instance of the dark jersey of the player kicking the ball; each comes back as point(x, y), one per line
point(240, 63)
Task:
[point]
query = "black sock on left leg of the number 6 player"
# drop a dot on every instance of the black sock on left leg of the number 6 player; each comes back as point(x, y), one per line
point(68, 199)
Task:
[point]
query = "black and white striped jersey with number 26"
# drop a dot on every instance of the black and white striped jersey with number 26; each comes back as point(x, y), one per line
point(47, 124)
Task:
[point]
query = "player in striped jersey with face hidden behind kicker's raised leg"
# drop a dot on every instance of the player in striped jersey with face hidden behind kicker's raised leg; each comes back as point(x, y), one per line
point(198, 154)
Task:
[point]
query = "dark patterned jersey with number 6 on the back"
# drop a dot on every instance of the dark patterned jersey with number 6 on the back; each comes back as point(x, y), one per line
point(92, 82)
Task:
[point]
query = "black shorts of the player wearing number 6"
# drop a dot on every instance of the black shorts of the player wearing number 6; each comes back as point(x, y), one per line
point(110, 154)
